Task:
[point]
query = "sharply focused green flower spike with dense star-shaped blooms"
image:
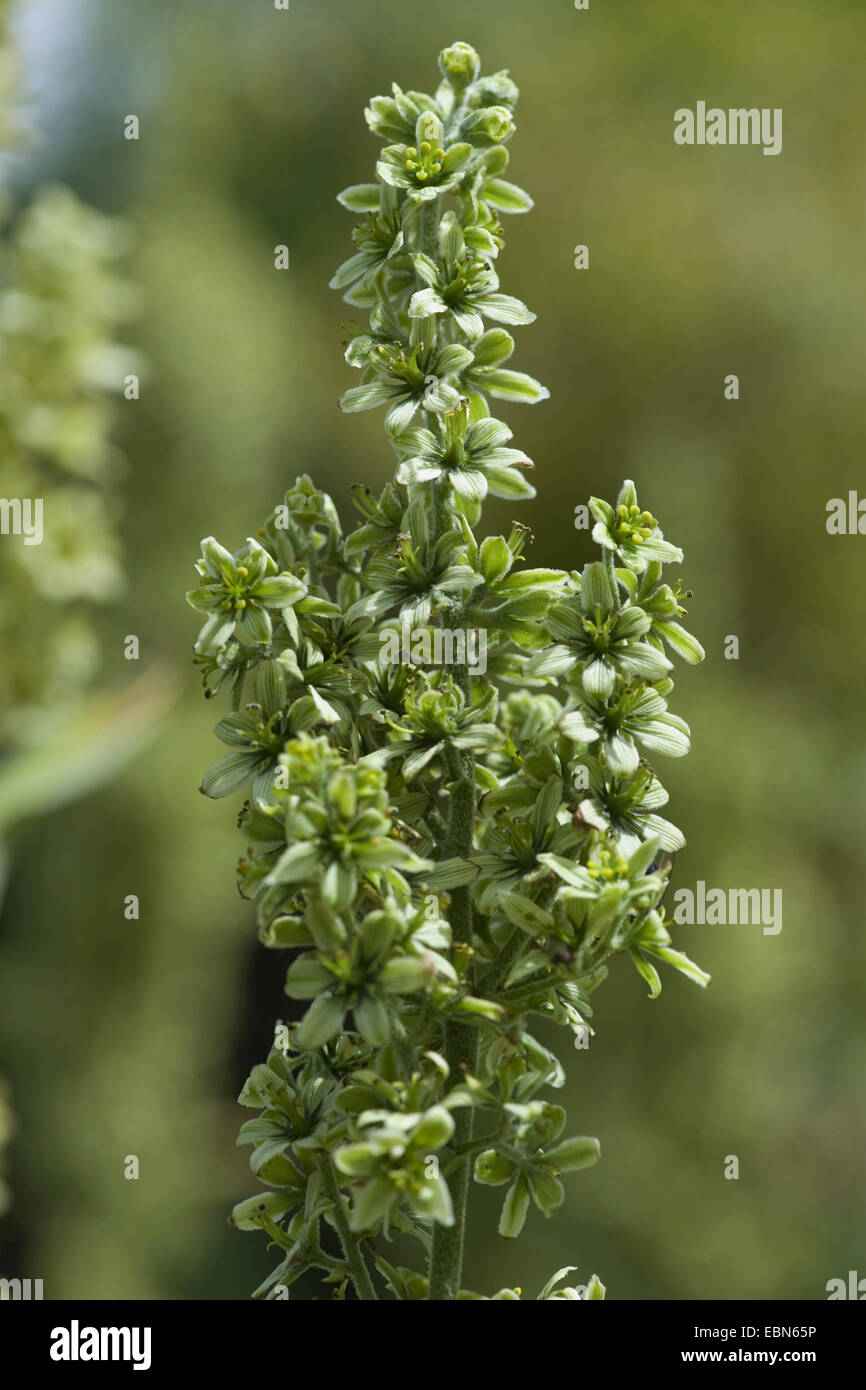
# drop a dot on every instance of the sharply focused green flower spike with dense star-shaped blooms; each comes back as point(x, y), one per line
point(451, 819)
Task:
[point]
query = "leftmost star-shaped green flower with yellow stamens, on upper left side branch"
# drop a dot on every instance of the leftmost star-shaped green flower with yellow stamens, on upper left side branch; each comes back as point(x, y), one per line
point(238, 593)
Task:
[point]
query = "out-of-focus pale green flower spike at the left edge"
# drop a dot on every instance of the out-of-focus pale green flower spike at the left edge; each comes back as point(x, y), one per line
point(60, 301)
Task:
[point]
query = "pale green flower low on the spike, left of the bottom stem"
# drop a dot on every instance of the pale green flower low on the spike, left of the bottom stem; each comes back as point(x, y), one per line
point(393, 1161)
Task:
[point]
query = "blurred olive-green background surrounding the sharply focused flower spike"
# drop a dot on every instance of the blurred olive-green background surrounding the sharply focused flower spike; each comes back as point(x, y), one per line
point(124, 1038)
